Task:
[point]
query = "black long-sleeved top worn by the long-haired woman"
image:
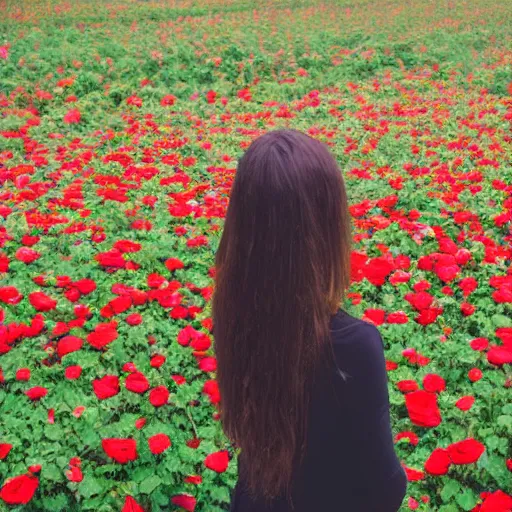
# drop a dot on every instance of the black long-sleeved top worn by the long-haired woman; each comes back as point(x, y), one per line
point(350, 463)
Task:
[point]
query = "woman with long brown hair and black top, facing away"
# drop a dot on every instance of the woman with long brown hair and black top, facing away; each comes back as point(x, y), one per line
point(303, 384)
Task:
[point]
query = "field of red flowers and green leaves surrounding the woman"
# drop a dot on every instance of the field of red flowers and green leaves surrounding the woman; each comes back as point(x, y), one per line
point(120, 127)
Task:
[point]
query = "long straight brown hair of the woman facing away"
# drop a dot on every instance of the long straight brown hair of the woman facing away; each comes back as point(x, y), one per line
point(282, 267)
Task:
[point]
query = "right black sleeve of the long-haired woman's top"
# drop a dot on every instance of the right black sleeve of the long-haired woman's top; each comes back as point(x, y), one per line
point(375, 472)
